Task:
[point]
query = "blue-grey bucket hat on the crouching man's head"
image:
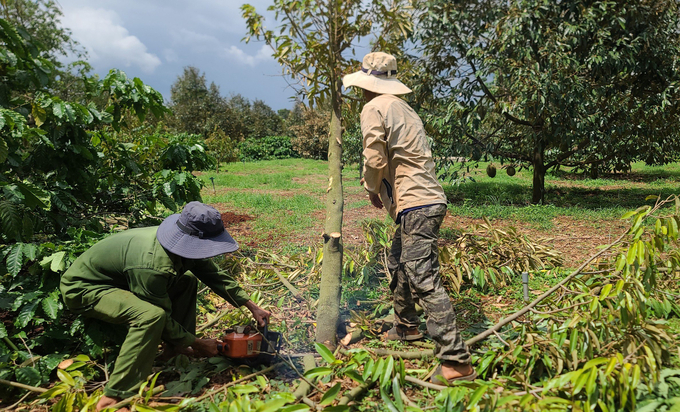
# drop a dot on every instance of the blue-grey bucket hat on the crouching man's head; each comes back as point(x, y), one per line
point(196, 233)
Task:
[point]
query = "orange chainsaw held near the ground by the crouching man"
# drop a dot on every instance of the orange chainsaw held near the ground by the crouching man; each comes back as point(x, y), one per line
point(247, 343)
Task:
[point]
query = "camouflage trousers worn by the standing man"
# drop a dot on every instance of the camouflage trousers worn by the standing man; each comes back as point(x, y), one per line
point(414, 265)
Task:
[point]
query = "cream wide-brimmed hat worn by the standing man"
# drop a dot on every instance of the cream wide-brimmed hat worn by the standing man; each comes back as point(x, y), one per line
point(378, 75)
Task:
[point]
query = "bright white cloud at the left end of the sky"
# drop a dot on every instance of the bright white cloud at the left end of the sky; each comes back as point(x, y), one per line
point(106, 40)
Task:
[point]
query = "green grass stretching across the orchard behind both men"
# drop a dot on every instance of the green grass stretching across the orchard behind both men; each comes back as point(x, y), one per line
point(286, 198)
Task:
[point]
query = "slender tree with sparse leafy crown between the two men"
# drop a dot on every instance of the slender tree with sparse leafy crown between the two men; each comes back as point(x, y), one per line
point(313, 41)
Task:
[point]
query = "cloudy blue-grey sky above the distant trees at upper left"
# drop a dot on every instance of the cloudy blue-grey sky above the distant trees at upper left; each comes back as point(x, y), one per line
point(155, 39)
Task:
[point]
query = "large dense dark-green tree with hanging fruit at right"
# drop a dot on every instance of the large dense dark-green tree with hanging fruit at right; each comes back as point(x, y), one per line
point(589, 84)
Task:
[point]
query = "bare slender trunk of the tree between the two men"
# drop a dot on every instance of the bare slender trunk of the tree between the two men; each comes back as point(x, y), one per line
point(328, 309)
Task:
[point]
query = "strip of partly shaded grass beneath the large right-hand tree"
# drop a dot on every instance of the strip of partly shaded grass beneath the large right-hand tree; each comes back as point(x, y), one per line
point(567, 194)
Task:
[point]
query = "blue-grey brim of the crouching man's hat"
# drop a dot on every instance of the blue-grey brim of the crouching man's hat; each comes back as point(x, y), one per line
point(191, 247)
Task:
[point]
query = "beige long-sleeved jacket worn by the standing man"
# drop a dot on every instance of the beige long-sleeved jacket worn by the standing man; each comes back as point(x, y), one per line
point(398, 162)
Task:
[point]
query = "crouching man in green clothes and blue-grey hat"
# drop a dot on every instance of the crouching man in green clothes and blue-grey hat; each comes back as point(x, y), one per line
point(140, 277)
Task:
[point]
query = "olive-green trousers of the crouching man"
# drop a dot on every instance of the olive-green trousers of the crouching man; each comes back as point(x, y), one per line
point(146, 323)
